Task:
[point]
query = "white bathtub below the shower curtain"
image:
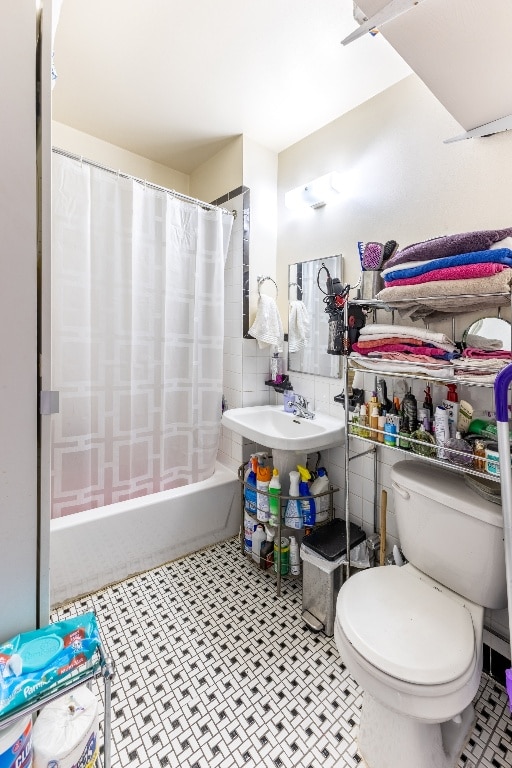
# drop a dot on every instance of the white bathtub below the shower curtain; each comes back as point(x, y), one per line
point(93, 549)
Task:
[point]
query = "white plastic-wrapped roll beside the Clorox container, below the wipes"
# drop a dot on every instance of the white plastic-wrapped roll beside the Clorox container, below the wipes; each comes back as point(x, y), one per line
point(66, 731)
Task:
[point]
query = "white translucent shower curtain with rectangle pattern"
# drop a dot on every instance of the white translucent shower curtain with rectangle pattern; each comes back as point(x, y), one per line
point(137, 337)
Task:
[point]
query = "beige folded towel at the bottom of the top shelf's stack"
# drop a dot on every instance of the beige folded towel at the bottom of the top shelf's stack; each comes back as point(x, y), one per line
point(436, 299)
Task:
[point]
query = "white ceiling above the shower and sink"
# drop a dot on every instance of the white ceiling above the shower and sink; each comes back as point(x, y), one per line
point(174, 80)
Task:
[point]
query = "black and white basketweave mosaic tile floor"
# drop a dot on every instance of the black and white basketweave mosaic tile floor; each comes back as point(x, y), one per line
point(213, 669)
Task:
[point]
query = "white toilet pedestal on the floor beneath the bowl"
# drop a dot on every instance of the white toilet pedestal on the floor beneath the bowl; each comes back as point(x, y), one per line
point(389, 740)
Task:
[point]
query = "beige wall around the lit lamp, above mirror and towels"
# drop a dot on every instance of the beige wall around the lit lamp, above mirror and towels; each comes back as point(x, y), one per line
point(403, 183)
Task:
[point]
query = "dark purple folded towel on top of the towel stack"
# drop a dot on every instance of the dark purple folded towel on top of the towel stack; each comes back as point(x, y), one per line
point(448, 245)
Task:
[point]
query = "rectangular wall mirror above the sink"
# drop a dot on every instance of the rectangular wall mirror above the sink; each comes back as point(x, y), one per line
point(308, 320)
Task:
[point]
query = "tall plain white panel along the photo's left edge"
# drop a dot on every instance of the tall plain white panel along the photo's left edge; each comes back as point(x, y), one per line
point(18, 320)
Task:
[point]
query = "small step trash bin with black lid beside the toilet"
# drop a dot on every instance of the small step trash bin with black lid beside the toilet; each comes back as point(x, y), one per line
point(322, 554)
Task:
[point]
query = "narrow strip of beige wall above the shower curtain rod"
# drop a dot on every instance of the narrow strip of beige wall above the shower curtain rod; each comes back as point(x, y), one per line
point(111, 156)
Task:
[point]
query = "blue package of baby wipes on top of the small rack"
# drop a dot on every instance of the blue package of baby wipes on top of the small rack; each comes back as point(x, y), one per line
point(32, 663)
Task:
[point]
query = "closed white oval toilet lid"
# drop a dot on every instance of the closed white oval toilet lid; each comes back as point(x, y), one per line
point(405, 626)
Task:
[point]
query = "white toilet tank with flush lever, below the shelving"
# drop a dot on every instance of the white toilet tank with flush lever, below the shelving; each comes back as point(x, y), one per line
point(450, 532)
